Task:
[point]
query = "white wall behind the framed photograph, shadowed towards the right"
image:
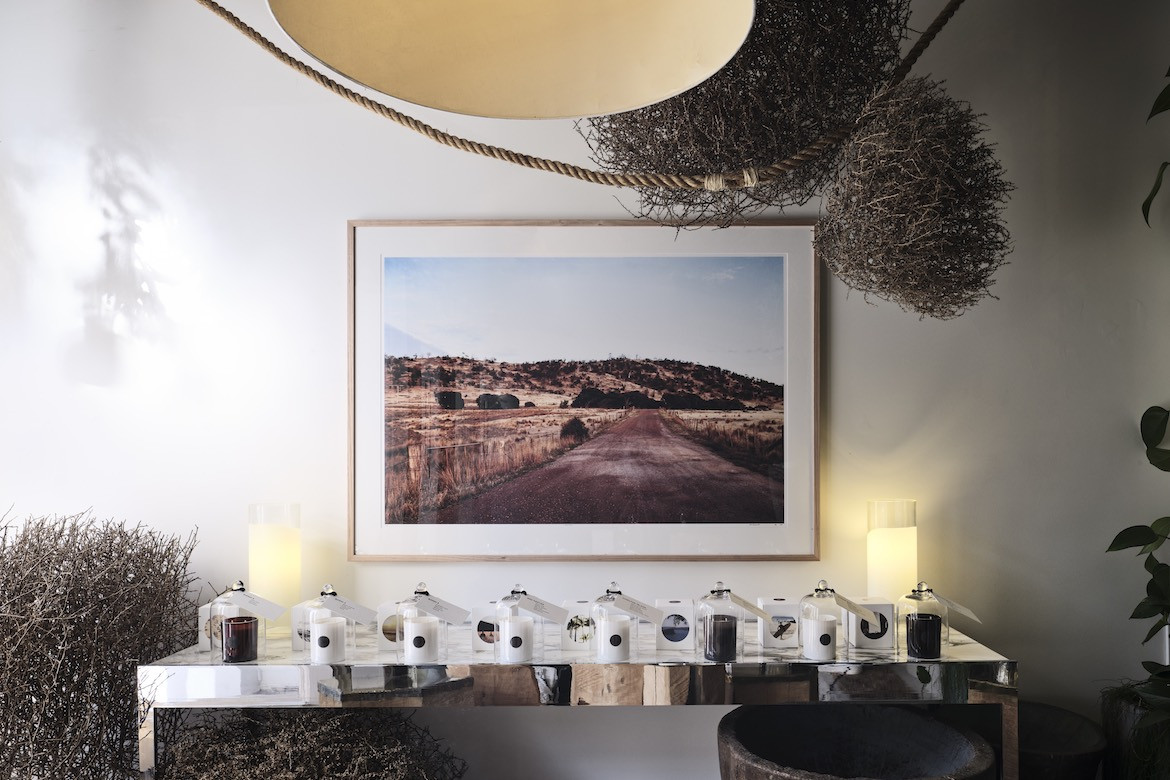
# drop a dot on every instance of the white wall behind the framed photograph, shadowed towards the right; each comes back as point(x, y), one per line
point(224, 183)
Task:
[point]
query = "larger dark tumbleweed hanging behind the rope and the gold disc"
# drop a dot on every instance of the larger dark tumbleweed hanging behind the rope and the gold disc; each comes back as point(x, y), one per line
point(806, 71)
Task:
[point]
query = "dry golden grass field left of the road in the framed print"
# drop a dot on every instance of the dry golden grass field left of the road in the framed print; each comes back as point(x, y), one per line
point(436, 458)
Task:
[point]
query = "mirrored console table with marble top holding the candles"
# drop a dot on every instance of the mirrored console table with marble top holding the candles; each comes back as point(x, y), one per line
point(968, 674)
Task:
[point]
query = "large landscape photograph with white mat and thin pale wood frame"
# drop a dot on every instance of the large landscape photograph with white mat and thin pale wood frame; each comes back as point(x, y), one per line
point(576, 391)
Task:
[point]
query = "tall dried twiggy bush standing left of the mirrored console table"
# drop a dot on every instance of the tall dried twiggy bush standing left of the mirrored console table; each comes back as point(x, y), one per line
point(82, 603)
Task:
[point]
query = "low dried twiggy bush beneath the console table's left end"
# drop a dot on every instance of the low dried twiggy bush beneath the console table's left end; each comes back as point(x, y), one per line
point(307, 746)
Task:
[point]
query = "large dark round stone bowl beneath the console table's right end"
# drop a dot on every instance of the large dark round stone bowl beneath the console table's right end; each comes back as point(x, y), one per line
point(862, 742)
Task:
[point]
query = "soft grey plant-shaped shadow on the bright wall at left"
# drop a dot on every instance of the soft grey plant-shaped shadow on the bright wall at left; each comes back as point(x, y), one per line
point(121, 303)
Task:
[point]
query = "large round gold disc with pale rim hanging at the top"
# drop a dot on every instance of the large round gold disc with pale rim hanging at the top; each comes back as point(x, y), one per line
point(521, 59)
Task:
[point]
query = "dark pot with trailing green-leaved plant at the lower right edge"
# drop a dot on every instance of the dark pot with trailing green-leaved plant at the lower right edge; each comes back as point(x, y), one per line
point(1137, 716)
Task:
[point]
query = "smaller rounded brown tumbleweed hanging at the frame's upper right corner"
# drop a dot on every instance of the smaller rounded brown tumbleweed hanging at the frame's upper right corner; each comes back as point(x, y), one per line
point(916, 215)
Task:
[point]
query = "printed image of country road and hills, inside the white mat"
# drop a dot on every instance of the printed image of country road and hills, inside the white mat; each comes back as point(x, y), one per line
point(531, 391)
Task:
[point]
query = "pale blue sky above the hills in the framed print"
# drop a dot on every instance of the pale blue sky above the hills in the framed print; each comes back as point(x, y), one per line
point(719, 312)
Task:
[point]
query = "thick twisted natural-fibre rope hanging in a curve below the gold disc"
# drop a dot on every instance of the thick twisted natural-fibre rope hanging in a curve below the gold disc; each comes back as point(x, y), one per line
point(746, 178)
